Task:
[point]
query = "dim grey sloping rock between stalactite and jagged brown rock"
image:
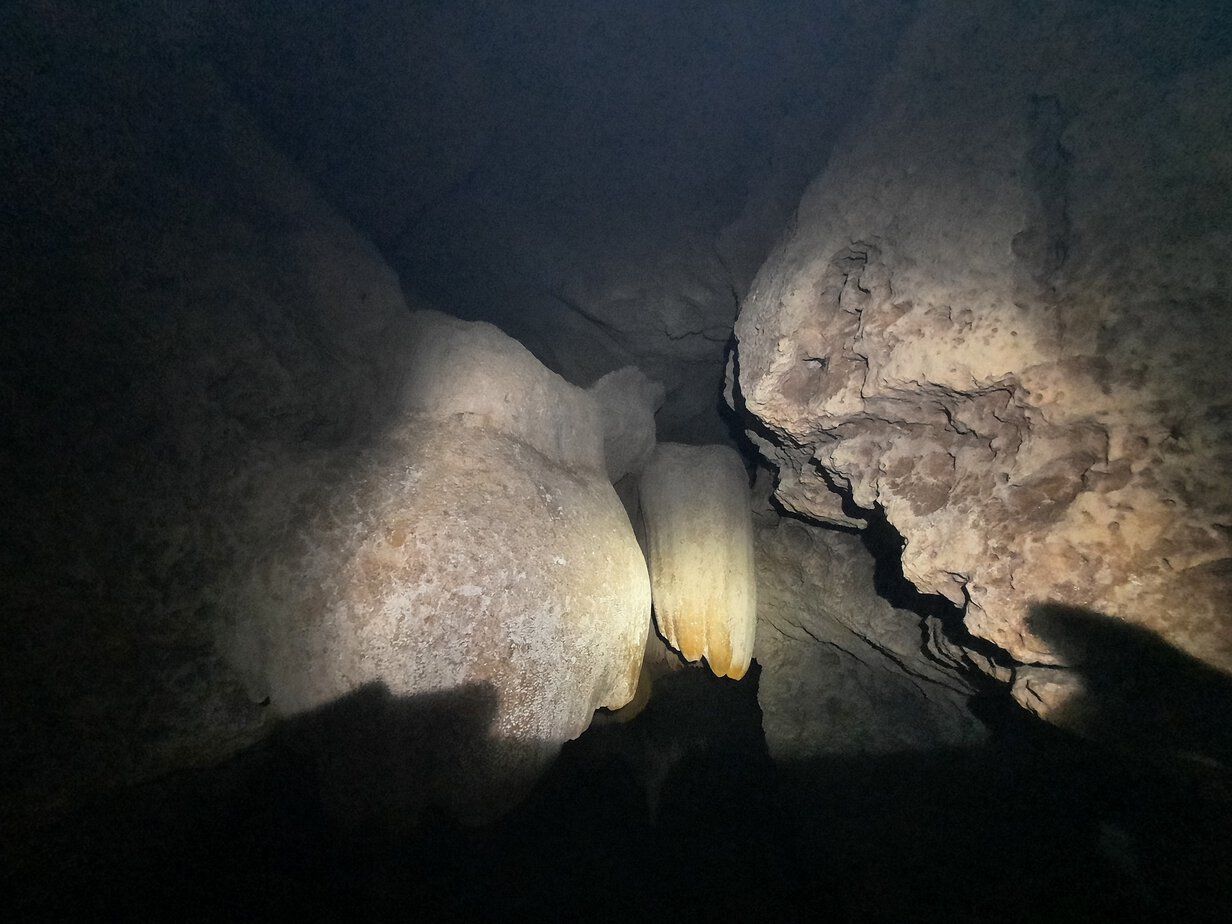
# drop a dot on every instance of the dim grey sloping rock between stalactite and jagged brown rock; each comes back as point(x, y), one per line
point(843, 672)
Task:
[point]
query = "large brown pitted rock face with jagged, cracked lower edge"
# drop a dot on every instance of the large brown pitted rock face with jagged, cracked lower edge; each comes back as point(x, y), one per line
point(1003, 317)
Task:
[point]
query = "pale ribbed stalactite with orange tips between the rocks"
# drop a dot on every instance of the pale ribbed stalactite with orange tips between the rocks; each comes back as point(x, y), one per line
point(699, 528)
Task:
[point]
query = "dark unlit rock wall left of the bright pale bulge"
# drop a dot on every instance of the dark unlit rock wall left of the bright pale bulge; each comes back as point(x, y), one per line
point(179, 309)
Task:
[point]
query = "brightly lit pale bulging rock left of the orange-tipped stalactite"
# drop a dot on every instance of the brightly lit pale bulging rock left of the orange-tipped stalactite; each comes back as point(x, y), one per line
point(477, 548)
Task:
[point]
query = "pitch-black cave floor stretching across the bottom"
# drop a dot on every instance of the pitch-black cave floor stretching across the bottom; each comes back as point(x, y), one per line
point(1037, 826)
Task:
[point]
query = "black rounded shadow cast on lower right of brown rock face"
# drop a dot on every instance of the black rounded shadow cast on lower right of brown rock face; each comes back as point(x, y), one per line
point(1137, 689)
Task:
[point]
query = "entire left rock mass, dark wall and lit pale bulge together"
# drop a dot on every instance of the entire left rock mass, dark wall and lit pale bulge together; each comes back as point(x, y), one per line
point(253, 492)
